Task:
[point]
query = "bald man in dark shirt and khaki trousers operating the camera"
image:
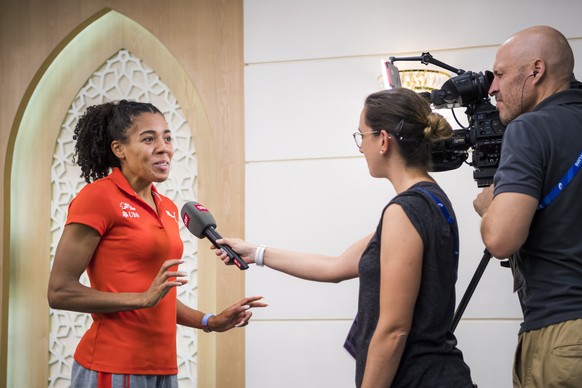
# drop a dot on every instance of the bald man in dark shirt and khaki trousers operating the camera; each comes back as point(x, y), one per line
point(532, 212)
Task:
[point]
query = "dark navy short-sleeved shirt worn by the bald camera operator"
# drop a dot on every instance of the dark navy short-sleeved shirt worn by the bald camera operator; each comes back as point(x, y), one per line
point(538, 149)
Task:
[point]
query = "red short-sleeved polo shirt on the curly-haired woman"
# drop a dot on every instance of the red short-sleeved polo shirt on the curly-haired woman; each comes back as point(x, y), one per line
point(135, 241)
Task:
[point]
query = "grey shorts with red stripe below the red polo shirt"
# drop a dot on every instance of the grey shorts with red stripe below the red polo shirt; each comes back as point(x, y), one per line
point(85, 378)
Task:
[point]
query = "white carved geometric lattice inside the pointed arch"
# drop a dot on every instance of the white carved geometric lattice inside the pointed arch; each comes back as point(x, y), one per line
point(123, 76)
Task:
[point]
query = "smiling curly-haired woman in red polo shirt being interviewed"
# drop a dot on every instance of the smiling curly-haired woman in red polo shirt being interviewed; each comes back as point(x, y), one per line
point(126, 236)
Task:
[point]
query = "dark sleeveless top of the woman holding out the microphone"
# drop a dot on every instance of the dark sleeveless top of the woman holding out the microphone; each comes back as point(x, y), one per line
point(430, 357)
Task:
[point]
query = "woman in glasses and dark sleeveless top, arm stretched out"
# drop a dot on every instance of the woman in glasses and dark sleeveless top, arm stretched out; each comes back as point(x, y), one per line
point(407, 267)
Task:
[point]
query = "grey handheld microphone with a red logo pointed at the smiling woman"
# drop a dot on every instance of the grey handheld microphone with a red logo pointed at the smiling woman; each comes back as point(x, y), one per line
point(201, 223)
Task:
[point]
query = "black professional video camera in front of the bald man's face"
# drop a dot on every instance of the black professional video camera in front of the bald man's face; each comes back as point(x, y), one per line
point(485, 130)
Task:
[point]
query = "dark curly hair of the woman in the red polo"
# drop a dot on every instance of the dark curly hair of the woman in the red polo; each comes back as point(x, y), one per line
point(99, 126)
